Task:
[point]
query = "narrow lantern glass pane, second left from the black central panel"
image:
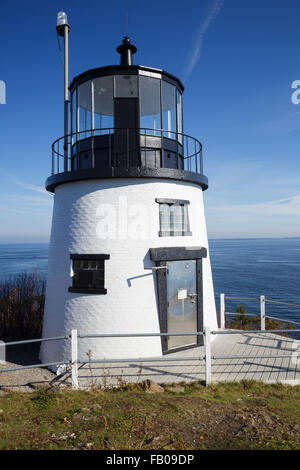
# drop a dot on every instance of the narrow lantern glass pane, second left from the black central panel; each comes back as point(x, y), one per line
point(85, 109)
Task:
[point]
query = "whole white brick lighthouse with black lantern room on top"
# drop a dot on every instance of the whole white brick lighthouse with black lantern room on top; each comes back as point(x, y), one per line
point(128, 249)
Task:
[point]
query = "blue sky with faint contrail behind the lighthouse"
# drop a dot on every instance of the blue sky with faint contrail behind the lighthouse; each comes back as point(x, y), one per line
point(237, 60)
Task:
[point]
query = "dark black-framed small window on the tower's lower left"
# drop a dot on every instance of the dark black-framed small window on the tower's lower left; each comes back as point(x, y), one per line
point(88, 274)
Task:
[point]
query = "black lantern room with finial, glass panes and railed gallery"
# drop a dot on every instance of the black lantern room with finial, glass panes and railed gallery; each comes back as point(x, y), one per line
point(126, 121)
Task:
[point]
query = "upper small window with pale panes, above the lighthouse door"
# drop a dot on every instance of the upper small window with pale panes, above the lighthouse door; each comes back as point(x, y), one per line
point(173, 218)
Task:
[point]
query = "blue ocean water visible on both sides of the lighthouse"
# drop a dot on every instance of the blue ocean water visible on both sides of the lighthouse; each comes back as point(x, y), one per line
point(241, 268)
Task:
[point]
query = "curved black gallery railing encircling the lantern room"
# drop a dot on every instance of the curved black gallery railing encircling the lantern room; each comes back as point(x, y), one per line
point(113, 147)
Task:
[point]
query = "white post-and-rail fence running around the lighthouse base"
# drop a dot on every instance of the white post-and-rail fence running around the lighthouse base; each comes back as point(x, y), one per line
point(74, 337)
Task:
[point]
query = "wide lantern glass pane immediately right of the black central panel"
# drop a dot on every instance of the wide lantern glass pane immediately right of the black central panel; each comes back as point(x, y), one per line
point(150, 117)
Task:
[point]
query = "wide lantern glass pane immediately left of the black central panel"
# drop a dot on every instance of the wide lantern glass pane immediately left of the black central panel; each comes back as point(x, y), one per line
point(103, 104)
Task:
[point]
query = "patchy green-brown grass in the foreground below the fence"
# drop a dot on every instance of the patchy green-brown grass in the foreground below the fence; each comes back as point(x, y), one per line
point(245, 415)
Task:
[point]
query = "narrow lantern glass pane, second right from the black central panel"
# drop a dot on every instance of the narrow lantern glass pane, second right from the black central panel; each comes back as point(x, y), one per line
point(169, 109)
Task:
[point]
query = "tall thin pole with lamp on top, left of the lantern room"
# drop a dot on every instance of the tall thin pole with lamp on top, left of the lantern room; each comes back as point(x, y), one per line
point(63, 29)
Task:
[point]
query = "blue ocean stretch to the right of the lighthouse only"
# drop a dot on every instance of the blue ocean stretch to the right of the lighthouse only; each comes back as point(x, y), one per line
point(254, 267)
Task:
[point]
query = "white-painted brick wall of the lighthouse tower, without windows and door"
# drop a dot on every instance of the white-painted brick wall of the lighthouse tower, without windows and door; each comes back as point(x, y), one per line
point(130, 304)
